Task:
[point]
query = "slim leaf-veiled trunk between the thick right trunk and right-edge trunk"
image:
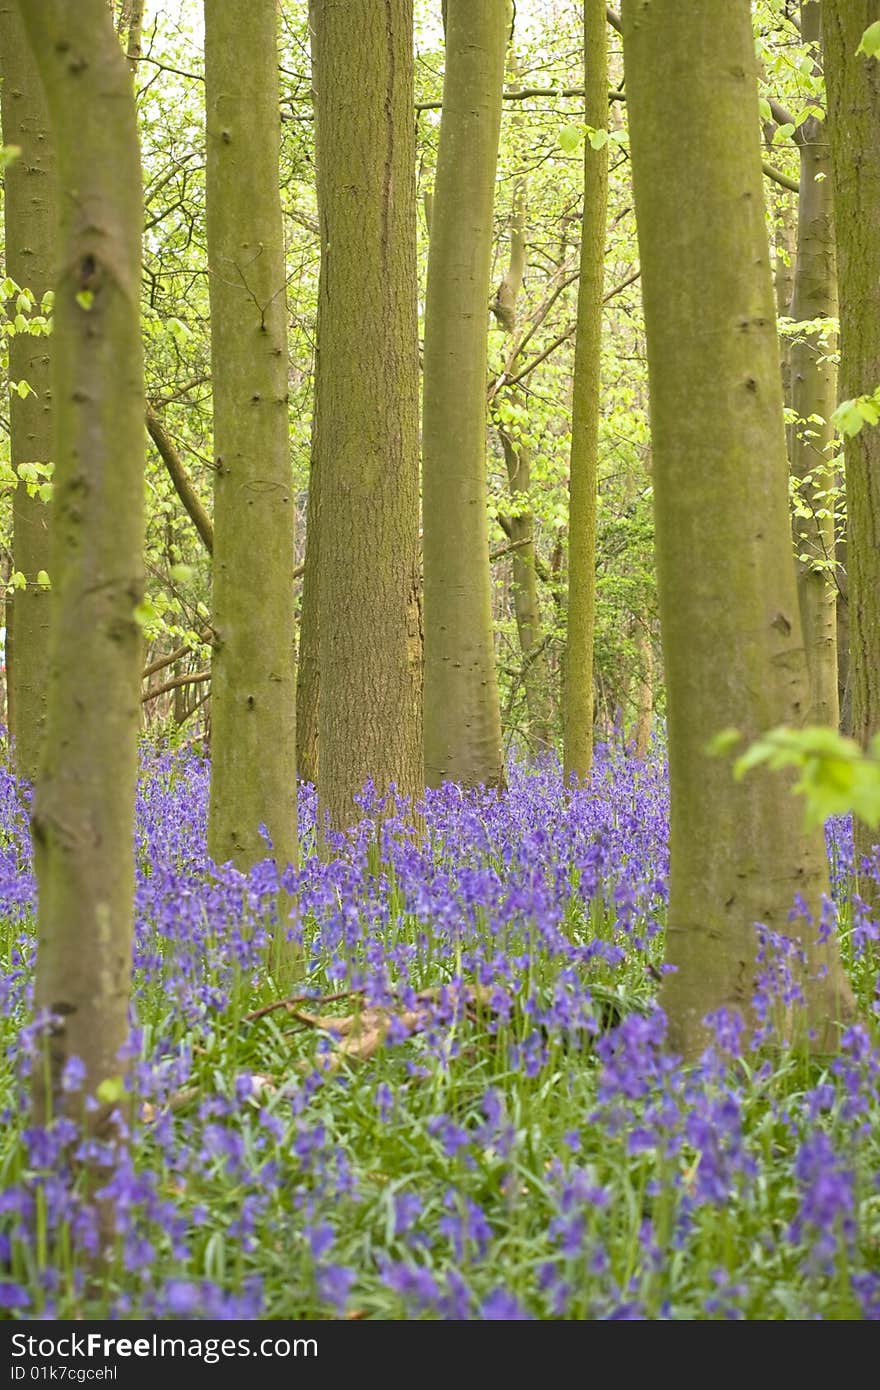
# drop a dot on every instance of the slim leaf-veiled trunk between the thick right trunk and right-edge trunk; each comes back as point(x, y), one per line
point(814, 397)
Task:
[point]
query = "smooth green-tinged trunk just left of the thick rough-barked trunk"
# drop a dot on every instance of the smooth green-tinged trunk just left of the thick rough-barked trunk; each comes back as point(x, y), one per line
point(254, 771)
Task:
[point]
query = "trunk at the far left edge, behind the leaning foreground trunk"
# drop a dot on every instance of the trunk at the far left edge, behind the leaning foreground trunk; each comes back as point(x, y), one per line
point(30, 216)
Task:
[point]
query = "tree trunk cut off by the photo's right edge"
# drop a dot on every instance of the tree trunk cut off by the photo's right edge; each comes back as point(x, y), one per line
point(854, 127)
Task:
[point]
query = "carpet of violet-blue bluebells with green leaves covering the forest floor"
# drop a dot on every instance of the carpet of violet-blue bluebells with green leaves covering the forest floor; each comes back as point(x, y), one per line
point(519, 1147)
